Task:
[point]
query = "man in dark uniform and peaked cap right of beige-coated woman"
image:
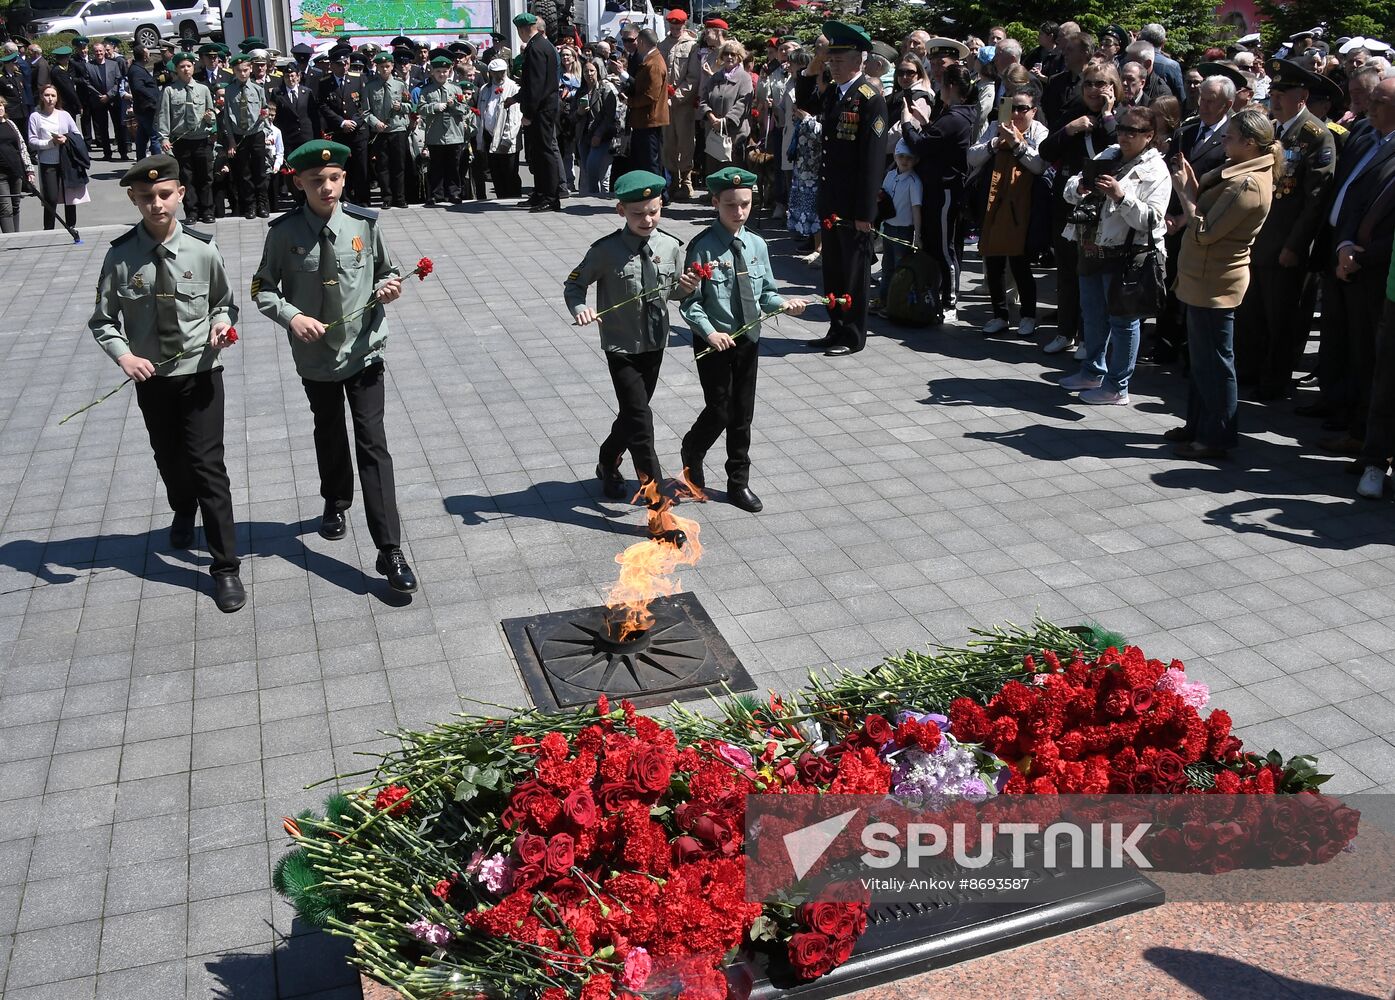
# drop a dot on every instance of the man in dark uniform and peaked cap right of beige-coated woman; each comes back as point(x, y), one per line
point(1270, 331)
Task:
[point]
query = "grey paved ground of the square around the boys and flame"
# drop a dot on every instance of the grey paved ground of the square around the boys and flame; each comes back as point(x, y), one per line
point(151, 745)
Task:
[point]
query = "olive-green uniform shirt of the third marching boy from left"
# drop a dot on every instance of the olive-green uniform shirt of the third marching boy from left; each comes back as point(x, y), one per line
point(616, 266)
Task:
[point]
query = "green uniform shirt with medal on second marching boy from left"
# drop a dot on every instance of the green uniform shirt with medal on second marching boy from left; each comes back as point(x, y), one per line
point(289, 281)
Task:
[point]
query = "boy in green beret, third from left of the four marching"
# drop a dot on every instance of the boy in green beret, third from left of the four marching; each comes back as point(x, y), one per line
point(638, 259)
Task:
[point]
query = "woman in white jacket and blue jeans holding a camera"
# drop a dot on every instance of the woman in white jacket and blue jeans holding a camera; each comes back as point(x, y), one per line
point(1122, 193)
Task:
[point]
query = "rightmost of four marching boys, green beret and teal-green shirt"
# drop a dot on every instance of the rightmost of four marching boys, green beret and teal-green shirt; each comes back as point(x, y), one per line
point(741, 289)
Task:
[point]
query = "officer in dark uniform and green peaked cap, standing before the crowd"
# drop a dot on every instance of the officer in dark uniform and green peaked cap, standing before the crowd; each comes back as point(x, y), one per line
point(854, 162)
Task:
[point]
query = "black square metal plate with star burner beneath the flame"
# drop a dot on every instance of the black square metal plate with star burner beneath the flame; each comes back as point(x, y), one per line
point(568, 658)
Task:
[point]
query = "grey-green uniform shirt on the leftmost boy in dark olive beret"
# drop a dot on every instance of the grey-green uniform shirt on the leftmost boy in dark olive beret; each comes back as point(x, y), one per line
point(133, 319)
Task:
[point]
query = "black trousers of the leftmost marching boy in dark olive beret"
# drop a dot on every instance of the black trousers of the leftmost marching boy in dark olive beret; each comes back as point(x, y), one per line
point(185, 419)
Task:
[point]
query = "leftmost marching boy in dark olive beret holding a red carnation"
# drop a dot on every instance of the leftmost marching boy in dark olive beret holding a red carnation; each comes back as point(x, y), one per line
point(164, 295)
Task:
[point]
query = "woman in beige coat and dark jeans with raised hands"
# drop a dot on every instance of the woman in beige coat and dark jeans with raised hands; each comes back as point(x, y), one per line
point(1224, 210)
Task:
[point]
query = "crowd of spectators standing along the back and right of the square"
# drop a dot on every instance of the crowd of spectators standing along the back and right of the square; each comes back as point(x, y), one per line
point(1260, 189)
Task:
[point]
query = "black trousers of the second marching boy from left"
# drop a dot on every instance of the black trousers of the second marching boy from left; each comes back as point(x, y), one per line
point(365, 393)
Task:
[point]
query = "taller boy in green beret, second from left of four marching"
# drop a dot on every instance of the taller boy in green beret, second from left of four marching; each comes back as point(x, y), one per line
point(326, 262)
